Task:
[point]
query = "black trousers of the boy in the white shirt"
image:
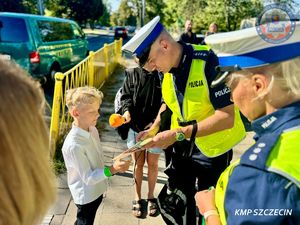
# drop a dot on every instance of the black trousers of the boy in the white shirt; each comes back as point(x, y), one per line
point(86, 213)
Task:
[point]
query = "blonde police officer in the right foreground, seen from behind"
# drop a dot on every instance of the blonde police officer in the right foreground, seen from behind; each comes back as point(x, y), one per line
point(264, 186)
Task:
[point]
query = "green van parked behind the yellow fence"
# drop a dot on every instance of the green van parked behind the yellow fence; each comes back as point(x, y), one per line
point(41, 45)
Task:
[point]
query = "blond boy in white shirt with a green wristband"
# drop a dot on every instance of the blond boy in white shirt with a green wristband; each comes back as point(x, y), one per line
point(87, 175)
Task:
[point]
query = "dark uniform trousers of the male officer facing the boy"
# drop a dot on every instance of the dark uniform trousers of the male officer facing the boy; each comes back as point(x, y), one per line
point(192, 174)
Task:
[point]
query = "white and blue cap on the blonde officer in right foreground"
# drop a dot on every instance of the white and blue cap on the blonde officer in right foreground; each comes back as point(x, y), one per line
point(249, 48)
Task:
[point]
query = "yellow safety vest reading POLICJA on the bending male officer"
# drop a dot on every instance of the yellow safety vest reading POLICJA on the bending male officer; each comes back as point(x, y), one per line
point(197, 106)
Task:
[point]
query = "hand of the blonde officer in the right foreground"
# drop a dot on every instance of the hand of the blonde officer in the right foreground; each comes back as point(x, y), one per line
point(205, 200)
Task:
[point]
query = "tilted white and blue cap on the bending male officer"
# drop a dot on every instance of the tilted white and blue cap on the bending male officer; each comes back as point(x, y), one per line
point(140, 44)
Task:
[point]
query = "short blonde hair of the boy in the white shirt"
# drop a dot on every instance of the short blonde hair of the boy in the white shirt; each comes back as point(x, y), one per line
point(82, 95)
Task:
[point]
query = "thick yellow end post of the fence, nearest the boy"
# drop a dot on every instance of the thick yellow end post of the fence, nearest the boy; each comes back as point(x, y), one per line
point(54, 126)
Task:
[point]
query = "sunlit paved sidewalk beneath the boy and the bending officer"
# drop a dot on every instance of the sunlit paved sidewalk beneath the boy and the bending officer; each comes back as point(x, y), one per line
point(116, 206)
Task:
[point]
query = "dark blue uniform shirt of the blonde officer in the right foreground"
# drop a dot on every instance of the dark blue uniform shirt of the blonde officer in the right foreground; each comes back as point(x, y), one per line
point(255, 194)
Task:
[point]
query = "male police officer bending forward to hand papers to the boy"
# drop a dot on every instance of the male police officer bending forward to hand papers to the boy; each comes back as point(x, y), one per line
point(204, 123)
